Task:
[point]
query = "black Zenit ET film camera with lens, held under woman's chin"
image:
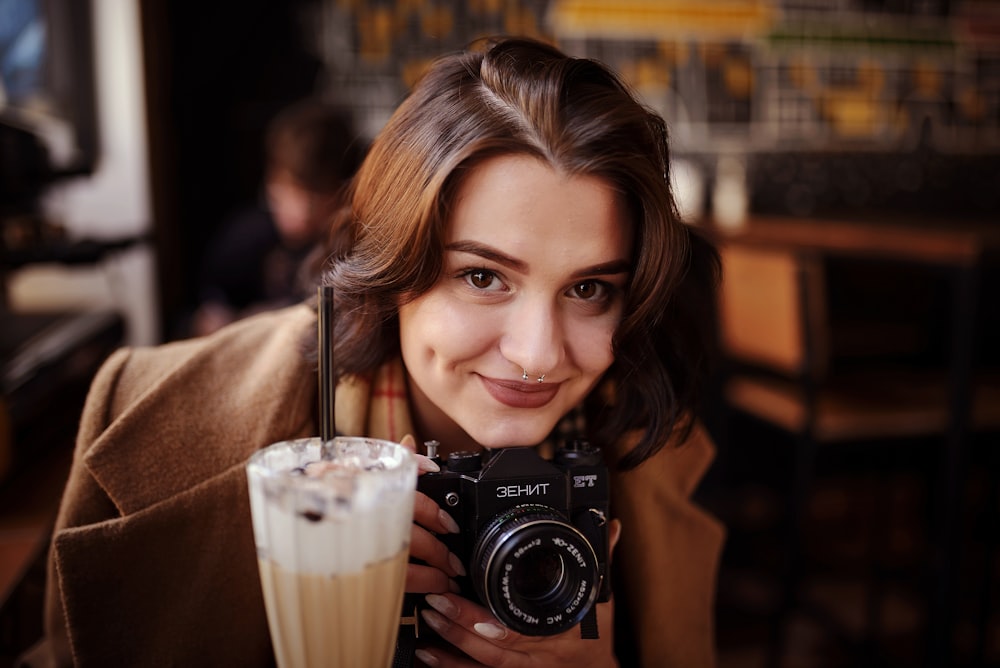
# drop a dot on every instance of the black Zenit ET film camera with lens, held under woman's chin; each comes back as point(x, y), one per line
point(534, 533)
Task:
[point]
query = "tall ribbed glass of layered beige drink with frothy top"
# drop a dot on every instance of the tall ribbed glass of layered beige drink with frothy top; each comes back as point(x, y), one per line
point(332, 537)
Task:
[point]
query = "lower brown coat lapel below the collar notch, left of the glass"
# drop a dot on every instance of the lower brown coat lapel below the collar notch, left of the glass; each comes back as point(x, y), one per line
point(114, 579)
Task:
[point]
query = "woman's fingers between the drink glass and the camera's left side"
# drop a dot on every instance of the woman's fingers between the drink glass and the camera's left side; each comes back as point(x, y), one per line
point(439, 565)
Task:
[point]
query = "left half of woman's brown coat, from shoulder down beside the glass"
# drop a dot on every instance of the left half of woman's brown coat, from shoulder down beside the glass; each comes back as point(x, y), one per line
point(172, 428)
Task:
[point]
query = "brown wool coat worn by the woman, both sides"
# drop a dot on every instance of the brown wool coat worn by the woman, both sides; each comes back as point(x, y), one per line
point(153, 558)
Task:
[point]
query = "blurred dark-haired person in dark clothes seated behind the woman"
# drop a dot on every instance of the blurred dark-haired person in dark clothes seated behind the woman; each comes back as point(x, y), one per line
point(255, 260)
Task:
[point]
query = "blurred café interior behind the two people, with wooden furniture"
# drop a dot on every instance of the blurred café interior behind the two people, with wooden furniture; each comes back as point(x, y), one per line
point(844, 154)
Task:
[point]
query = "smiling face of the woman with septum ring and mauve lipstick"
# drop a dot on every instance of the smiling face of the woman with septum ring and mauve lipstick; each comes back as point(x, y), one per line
point(535, 267)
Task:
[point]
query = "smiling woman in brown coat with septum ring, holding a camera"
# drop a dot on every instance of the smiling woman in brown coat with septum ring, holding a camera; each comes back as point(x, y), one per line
point(511, 271)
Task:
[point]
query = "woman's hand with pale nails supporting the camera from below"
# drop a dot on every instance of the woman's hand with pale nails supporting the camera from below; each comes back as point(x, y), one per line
point(483, 641)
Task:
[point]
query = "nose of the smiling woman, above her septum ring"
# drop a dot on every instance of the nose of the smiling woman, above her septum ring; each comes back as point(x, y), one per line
point(533, 339)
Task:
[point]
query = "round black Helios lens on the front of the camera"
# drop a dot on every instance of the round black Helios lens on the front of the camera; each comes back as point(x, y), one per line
point(536, 573)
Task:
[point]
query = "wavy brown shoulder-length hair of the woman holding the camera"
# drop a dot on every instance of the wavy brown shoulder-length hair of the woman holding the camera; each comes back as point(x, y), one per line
point(518, 96)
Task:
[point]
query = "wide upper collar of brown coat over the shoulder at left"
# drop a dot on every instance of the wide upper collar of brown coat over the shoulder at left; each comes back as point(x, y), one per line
point(198, 417)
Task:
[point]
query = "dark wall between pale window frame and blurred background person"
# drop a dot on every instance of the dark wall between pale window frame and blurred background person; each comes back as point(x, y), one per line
point(216, 73)
